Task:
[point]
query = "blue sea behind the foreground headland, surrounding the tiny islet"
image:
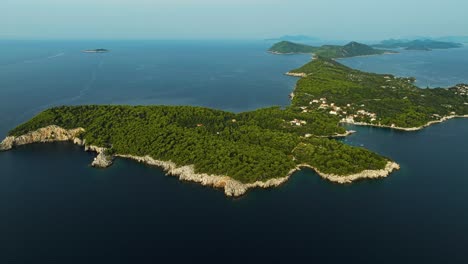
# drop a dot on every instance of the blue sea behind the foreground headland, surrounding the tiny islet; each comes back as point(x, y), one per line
point(234, 76)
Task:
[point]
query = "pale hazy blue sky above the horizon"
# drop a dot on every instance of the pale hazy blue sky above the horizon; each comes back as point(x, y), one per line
point(230, 19)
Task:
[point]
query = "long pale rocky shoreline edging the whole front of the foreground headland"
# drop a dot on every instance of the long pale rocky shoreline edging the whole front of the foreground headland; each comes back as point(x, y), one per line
point(231, 186)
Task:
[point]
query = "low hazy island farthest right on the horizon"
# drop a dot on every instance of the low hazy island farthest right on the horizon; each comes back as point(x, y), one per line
point(420, 44)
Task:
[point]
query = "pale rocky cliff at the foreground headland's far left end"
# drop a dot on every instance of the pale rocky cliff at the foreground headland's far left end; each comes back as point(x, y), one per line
point(46, 134)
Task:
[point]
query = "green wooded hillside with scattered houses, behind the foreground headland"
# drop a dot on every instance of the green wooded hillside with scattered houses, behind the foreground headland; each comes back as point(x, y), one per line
point(374, 98)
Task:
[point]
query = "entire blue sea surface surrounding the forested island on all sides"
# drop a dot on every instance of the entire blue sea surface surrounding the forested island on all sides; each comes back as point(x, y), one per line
point(55, 208)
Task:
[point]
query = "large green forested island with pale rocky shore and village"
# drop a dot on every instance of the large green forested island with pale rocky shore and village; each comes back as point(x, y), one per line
point(260, 148)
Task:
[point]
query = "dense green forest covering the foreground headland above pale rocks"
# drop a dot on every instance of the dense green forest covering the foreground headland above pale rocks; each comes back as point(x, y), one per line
point(250, 146)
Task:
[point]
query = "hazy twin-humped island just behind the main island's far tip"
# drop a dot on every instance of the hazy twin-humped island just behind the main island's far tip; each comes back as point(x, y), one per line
point(351, 49)
